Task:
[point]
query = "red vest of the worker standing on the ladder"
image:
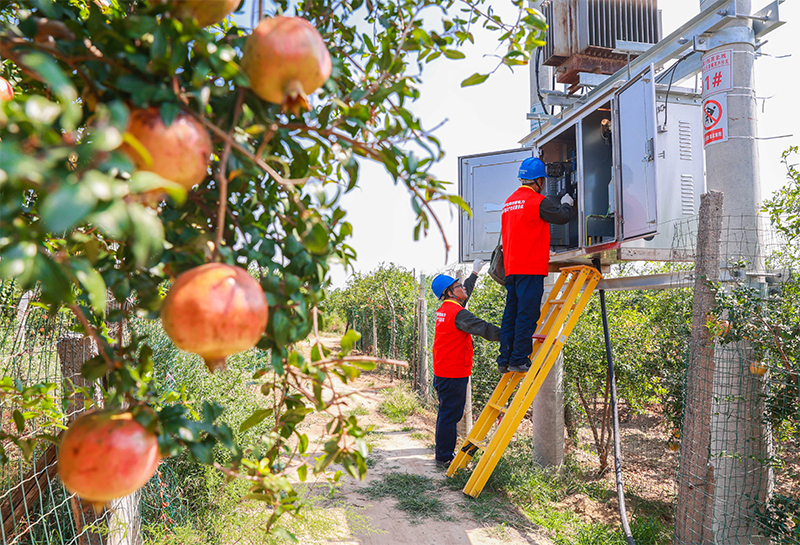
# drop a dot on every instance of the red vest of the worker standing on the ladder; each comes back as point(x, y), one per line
point(526, 236)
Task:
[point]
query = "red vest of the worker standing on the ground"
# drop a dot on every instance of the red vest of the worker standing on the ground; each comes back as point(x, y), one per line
point(452, 348)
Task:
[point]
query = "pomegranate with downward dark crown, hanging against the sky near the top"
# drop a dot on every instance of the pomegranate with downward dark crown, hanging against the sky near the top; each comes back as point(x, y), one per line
point(286, 59)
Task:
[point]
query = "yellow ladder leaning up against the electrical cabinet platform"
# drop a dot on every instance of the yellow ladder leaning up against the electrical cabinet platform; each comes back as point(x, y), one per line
point(560, 313)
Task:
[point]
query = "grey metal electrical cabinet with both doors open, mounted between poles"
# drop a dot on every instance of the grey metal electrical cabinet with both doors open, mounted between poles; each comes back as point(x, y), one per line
point(633, 158)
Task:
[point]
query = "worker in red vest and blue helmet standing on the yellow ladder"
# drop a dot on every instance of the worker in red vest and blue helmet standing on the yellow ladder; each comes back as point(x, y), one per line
point(526, 219)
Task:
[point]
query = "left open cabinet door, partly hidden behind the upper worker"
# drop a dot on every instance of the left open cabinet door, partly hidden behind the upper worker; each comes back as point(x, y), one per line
point(485, 181)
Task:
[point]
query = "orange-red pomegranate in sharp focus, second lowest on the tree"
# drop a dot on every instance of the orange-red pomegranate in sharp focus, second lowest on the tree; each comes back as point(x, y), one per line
point(215, 310)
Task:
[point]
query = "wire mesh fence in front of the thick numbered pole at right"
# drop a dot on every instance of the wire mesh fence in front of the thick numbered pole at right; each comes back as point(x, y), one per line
point(739, 481)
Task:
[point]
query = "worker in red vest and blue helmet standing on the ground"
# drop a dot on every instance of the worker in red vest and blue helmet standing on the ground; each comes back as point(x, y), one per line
point(452, 355)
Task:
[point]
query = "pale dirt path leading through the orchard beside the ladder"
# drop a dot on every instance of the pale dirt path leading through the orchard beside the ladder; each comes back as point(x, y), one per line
point(406, 451)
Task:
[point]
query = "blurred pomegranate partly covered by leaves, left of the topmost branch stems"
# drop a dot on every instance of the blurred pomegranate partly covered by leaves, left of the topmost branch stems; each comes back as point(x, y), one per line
point(180, 153)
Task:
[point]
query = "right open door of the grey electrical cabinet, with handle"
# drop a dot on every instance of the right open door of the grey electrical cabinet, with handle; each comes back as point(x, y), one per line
point(636, 119)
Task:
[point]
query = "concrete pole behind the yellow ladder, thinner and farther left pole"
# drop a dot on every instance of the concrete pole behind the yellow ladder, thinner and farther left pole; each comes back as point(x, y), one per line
point(548, 407)
